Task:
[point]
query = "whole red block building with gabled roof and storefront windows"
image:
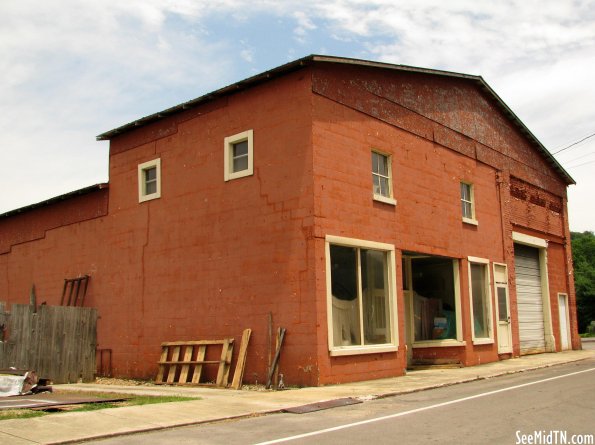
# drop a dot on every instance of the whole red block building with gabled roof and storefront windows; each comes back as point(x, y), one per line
point(385, 215)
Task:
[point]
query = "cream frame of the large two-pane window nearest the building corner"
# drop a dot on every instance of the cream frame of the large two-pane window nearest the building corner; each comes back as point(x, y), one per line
point(389, 249)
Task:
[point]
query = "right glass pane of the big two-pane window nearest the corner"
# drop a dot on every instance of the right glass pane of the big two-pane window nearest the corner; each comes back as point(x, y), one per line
point(375, 297)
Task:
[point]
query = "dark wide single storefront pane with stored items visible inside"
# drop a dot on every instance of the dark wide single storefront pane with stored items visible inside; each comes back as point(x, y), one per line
point(434, 305)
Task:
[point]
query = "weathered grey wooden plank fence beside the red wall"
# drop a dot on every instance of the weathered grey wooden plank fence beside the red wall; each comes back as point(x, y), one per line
point(58, 342)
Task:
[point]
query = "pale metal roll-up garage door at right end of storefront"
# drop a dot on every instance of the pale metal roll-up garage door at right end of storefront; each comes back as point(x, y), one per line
point(529, 299)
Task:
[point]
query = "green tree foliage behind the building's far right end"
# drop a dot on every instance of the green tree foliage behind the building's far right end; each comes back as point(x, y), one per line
point(583, 255)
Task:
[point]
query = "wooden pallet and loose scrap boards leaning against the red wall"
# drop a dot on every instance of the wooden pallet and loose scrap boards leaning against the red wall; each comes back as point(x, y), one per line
point(183, 362)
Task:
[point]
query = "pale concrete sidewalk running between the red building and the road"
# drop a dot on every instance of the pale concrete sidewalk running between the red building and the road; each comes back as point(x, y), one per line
point(221, 404)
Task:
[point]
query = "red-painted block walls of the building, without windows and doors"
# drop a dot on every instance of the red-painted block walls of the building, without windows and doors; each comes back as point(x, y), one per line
point(210, 258)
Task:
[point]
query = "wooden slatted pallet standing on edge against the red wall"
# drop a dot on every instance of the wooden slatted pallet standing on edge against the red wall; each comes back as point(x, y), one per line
point(182, 362)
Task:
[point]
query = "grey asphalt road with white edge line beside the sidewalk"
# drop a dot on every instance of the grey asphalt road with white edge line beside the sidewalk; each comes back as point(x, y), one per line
point(541, 406)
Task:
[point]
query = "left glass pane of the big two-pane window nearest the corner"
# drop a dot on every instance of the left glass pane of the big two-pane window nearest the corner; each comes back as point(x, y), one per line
point(345, 306)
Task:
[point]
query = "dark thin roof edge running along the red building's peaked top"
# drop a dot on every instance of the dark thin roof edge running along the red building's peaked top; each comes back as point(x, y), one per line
point(312, 59)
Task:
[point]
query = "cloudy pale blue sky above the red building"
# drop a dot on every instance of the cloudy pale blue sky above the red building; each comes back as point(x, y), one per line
point(72, 69)
